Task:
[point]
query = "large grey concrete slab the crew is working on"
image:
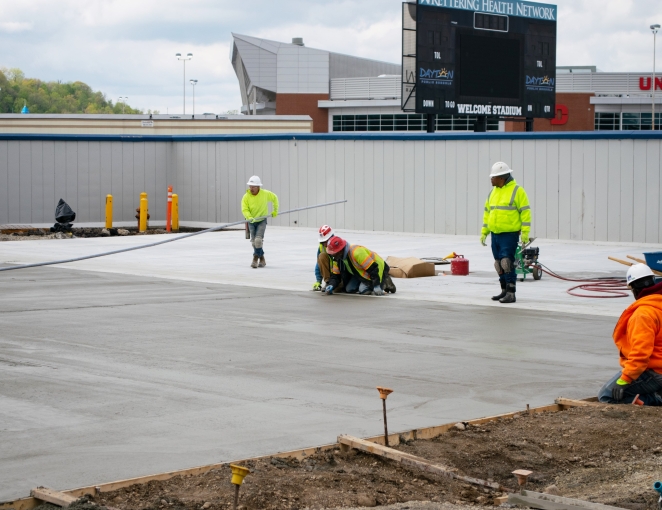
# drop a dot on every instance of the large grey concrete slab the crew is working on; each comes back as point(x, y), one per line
point(183, 355)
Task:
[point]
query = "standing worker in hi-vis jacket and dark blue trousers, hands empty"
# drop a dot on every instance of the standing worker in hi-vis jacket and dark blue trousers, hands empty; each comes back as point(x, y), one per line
point(507, 216)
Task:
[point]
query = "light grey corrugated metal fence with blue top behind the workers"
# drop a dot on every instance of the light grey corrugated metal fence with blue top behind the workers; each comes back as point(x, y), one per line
point(581, 186)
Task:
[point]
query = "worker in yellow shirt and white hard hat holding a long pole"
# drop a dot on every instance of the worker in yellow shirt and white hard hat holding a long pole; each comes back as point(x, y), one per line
point(253, 206)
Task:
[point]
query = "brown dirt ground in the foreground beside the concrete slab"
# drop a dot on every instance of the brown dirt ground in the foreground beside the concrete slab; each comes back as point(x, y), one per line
point(602, 454)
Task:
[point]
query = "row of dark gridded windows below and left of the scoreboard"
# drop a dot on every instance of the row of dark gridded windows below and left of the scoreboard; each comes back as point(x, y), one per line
point(408, 122)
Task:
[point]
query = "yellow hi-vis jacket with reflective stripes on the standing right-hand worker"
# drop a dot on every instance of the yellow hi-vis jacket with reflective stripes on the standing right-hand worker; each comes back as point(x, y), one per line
point(507, 209)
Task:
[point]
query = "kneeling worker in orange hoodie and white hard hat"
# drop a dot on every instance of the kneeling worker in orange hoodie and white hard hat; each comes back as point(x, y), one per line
point(638, 337)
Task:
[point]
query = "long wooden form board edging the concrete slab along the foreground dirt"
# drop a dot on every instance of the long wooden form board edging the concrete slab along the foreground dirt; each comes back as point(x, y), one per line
point(394, 439)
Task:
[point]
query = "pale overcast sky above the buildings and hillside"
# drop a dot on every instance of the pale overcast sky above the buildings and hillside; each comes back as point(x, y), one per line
point(127, 47)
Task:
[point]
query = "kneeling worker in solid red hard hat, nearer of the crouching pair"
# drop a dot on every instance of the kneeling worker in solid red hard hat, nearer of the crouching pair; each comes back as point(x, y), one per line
point(358, 269)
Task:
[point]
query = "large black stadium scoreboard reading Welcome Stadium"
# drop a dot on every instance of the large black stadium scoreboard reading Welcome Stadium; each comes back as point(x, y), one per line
point(479, 57)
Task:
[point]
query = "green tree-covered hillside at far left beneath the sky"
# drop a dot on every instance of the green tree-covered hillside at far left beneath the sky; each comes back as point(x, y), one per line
point(52, 97)
